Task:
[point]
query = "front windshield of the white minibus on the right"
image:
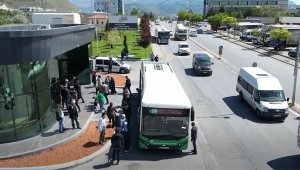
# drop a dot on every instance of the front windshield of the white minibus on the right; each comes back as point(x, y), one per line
point(272, 95)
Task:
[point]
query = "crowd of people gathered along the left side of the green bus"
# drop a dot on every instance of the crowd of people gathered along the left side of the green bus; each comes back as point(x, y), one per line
point(119, 120)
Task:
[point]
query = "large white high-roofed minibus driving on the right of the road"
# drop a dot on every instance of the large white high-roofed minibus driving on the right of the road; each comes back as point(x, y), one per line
point(263, 92)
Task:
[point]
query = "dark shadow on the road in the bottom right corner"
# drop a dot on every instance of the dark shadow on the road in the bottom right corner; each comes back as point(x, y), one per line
point(289, 162)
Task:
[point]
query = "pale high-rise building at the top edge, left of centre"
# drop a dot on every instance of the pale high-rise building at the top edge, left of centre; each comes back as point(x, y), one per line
point(110, 6)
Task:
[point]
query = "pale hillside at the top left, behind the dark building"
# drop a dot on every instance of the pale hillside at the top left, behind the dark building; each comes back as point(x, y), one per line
point(59, 5)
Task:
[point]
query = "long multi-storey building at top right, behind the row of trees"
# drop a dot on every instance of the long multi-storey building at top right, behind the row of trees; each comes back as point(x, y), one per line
point(243, 4)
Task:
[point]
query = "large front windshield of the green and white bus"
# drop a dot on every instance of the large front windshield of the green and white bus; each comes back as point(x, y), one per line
point(165, 123)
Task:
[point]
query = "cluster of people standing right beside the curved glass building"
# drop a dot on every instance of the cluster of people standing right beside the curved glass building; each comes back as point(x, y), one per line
point(69, 96)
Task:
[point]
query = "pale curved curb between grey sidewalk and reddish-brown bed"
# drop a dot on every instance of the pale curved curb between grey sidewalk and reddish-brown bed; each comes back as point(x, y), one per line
point(53, 145)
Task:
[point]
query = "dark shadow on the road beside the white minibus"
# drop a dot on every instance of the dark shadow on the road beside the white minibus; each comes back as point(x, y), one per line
point(244, 110)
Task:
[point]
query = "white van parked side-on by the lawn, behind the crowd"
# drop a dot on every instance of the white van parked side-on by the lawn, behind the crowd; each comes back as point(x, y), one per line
point(101, 64)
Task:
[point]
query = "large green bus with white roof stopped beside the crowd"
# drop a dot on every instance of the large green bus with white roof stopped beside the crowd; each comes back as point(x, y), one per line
point(165, 110)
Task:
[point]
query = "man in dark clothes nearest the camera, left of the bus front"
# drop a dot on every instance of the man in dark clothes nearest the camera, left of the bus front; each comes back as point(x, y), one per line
point(117, 142)
